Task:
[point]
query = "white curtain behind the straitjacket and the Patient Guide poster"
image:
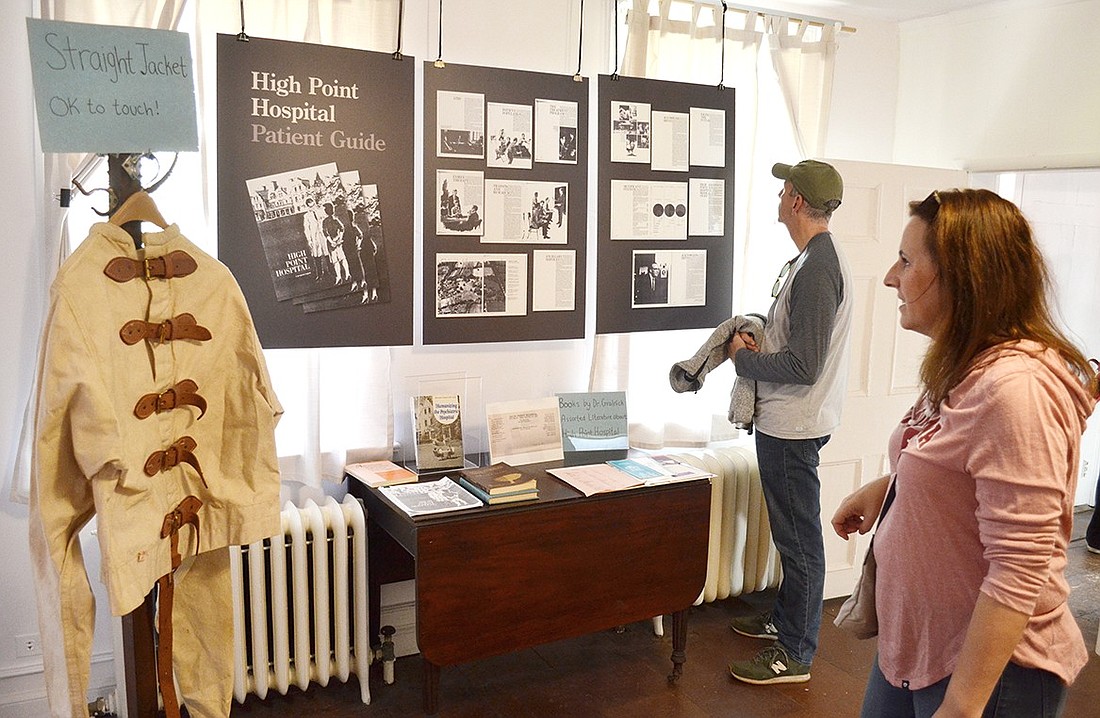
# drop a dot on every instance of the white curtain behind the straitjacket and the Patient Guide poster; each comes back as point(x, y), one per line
point(338, 402)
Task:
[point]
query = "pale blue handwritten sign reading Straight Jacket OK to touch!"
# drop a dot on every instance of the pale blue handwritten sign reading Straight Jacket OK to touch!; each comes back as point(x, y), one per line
point(109, 90)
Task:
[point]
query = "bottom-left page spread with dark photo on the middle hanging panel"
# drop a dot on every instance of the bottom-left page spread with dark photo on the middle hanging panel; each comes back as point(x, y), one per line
point(478, 285)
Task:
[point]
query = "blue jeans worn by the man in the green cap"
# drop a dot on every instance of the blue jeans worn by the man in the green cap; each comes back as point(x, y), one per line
point(791, 489)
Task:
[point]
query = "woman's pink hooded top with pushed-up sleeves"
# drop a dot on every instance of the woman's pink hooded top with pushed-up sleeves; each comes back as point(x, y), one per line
point(984, 503)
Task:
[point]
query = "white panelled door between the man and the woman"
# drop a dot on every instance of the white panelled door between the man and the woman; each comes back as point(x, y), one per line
point(885, 359)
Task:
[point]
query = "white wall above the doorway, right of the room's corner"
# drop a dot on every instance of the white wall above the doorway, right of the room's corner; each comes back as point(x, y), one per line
point(1006, 86)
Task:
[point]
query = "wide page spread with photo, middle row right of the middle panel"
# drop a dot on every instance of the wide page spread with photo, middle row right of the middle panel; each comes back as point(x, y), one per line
point(526, 213)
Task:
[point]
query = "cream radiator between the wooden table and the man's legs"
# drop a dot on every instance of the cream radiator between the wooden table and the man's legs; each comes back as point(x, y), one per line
point(742, 557)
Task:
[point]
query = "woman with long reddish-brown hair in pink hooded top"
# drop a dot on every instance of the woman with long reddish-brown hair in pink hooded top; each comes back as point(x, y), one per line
point(972, 554)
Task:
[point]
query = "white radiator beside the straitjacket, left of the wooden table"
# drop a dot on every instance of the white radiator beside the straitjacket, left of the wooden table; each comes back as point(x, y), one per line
point(301, 604)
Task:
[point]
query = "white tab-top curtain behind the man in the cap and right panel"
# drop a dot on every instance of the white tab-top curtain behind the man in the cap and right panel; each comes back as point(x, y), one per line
point(778, 120)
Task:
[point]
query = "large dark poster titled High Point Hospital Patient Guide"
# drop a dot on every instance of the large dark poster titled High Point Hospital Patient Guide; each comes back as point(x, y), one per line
point(315, 191)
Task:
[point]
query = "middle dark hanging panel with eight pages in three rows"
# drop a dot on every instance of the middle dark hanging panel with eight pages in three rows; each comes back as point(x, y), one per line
point(505, 190)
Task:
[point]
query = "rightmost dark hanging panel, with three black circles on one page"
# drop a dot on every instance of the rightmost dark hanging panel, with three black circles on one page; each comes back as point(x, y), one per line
point(666, 205)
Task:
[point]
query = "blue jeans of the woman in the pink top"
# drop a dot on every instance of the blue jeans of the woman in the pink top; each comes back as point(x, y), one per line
point(1020, 693)
